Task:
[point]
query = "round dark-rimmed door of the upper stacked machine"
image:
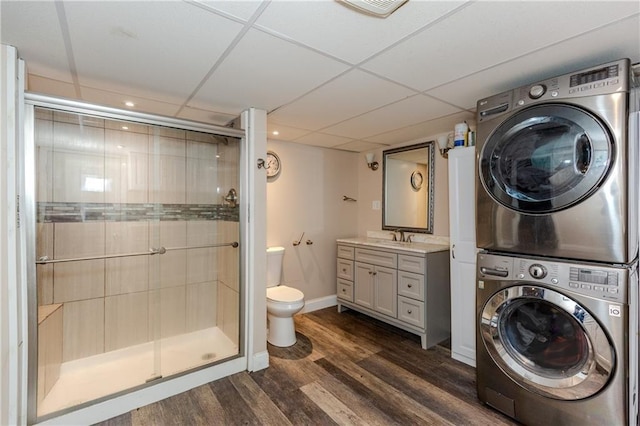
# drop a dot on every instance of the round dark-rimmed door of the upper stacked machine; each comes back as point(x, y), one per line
point(546, 158)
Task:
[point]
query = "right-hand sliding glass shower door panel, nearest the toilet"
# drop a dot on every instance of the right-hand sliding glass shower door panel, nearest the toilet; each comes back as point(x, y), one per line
point(196, 293)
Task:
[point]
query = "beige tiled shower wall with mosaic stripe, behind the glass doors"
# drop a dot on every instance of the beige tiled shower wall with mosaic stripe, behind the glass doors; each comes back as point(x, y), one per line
point(101, 190)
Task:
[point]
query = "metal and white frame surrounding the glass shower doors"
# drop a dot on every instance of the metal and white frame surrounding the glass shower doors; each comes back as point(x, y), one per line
point(28, 205)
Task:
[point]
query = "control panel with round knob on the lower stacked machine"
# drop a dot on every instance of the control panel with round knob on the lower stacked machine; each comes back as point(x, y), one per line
point(600, 281)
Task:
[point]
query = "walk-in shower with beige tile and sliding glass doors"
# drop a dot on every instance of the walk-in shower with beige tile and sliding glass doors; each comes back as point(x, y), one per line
point(137, 266)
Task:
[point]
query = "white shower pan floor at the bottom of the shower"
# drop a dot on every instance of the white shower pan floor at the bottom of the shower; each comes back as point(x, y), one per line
point(97, 376)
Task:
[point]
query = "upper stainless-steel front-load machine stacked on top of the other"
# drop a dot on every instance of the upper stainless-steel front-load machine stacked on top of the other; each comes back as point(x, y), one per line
point(556, 174)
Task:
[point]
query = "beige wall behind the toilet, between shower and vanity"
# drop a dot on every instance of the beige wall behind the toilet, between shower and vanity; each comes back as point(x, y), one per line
point(307, 197)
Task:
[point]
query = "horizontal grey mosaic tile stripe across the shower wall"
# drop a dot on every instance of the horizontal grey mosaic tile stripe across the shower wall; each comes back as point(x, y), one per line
point(52, 212)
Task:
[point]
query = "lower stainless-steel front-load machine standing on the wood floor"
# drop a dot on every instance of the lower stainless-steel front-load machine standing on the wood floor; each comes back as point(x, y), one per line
point(552, 340)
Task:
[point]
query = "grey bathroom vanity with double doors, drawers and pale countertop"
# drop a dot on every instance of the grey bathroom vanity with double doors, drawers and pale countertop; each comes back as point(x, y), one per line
point(406, 288)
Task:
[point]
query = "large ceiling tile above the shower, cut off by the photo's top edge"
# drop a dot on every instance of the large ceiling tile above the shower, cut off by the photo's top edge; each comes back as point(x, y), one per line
point(146, 54)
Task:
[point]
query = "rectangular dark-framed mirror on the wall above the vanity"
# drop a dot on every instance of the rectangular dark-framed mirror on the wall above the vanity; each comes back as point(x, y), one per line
point(407, 188)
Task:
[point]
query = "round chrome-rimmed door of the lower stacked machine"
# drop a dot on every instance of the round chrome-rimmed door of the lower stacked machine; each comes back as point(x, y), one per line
point(547, 343)
